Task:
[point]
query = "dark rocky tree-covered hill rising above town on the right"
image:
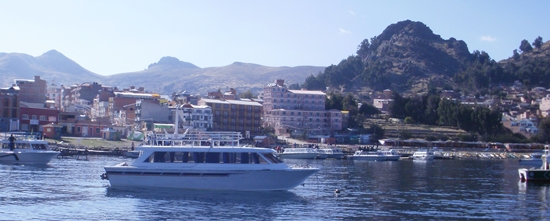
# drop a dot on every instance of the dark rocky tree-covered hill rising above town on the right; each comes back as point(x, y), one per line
point(408, 57)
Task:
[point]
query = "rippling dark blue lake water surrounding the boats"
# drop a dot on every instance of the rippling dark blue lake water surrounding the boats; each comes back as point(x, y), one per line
point(69, 189)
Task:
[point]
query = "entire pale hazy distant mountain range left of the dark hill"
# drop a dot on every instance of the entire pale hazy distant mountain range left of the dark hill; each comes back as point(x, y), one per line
point(165, 76)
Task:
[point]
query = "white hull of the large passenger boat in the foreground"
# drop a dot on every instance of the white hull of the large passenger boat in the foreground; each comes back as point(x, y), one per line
point(255, 180)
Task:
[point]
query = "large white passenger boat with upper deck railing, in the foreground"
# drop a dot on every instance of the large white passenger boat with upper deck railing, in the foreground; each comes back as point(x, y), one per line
point(206, 160)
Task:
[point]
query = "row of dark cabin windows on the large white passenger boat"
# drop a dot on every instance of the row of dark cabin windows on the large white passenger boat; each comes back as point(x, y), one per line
point(211, 157)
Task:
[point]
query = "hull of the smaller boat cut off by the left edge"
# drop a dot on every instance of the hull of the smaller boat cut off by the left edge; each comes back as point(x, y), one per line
point(24, 157)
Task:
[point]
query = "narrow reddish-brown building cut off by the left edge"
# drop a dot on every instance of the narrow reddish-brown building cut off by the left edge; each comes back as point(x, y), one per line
point(9, 109)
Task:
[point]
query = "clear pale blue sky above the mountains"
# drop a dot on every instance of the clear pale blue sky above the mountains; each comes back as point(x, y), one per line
point(110, 37)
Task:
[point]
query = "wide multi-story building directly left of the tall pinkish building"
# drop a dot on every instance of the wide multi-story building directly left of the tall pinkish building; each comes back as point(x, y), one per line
point(235, 115)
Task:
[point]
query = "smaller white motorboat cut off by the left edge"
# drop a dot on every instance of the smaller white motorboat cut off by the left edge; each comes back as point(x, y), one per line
point(26, 150)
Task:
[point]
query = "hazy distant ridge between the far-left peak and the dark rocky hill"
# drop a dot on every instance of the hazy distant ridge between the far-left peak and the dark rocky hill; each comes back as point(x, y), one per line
point(171, 75)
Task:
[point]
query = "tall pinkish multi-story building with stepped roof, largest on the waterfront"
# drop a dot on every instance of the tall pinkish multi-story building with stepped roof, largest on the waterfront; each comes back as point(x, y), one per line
point(298, 111)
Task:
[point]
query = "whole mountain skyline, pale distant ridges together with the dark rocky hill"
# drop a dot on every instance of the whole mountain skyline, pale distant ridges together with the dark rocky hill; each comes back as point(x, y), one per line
point(406, 57)
